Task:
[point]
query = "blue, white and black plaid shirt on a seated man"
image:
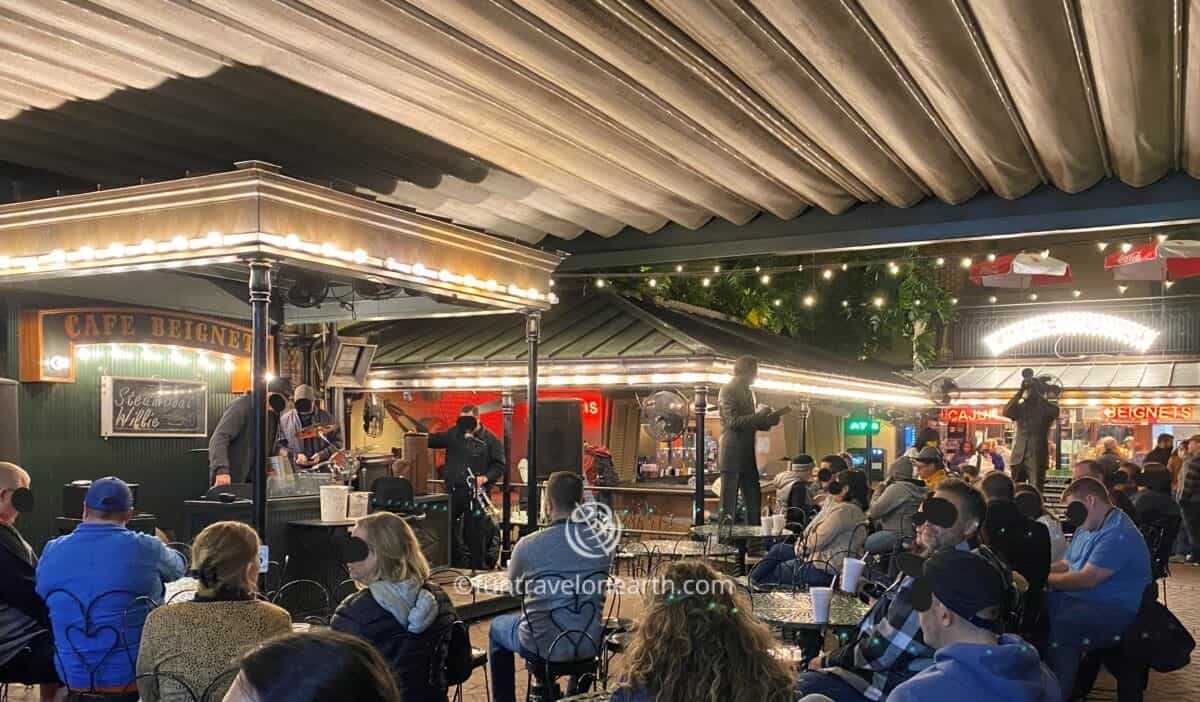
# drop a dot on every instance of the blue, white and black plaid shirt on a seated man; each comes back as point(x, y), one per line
point(890, 647)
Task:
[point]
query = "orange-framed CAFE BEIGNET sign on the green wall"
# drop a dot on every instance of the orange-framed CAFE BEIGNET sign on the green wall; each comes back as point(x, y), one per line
point(50, 337)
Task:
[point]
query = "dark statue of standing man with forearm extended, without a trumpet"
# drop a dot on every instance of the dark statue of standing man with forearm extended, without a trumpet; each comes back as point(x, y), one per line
point(741, 421)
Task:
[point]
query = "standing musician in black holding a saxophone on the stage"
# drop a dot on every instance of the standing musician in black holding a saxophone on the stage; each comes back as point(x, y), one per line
point(475, 463)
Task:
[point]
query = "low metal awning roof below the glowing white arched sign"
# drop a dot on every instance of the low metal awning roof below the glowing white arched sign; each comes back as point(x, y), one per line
point(1076, 377)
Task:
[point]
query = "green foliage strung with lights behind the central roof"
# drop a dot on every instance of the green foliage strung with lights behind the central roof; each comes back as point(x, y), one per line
point(862, 311)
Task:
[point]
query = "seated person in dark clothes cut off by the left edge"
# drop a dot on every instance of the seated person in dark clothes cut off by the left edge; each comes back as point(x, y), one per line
point(27, 649)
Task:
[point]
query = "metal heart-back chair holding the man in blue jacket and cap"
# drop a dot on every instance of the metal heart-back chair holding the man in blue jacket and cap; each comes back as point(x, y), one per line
point(92, 632)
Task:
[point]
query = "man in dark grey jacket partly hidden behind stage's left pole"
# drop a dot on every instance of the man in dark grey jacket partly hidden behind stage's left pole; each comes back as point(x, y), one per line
point(231, 447)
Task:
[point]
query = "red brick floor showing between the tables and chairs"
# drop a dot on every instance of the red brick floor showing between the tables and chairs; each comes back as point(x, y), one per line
point(1183, 597)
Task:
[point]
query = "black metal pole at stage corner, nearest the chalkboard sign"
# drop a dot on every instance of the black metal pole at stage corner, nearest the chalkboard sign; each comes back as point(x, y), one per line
point(260, 303)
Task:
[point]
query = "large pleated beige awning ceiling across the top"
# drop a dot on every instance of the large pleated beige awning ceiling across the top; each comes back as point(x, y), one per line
point(535, 117)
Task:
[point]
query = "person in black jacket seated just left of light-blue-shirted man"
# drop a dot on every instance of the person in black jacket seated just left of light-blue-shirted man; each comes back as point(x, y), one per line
point(1024, 544)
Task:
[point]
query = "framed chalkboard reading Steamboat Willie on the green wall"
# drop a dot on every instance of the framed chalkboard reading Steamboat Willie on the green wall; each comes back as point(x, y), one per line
point(153, 407)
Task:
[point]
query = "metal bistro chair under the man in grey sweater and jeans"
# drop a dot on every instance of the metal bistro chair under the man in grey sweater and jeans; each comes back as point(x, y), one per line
point(577, 651)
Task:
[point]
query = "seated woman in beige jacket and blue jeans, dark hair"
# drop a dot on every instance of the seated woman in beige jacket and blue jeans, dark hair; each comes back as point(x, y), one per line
point(833, 535)
